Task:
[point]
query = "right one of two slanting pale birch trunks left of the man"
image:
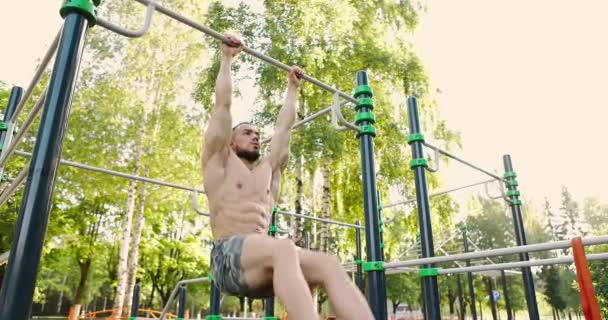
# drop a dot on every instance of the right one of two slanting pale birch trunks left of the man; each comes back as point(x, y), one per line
point(133, 260)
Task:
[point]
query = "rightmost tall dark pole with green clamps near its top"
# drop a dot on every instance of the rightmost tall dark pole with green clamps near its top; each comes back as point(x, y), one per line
point(520, 236)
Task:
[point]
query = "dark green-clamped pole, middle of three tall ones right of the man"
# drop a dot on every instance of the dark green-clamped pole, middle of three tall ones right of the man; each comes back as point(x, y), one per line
point(430, 290)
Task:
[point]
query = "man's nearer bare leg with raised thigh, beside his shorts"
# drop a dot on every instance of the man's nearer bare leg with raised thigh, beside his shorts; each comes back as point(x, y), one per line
point(265, 259)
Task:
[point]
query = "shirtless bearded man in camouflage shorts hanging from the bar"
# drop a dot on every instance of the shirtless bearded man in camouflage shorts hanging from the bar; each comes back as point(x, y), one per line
point(241, 189)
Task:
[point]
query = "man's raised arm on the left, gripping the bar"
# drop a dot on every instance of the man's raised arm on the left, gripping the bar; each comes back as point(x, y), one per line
point(219, 131)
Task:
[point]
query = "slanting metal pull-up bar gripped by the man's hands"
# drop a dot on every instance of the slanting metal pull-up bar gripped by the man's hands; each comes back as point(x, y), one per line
point(195, 25)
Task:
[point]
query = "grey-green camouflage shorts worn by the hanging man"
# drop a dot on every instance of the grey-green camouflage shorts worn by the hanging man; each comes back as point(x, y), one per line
point(227, 272)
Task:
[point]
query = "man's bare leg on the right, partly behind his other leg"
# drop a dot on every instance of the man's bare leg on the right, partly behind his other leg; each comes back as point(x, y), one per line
point(344, 296)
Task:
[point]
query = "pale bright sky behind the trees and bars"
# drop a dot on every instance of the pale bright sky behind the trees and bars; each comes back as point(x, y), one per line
point(518, 77)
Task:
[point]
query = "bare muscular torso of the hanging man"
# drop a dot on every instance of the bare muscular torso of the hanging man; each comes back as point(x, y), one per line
point(240, 199)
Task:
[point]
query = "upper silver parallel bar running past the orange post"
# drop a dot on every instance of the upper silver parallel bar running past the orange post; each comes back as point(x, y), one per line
point(497, 252)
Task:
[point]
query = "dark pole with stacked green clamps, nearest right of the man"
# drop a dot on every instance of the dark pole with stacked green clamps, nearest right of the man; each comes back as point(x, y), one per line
point(376, 279)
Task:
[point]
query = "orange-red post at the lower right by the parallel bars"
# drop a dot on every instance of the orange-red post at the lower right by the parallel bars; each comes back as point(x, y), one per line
point(588, 300)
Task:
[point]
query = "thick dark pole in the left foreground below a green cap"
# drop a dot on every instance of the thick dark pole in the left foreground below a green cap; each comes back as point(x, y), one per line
point(20, 278)
